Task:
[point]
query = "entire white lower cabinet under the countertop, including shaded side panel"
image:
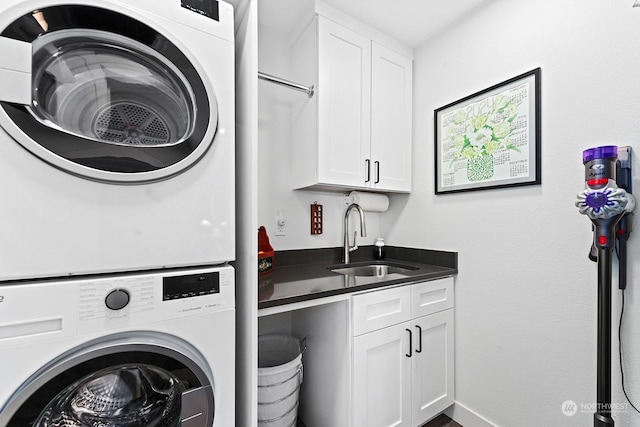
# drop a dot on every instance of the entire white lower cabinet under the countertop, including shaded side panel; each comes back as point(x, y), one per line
point(376, 359)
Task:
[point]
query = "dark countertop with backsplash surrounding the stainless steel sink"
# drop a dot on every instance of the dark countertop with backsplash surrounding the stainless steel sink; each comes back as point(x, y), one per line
point(302, 275)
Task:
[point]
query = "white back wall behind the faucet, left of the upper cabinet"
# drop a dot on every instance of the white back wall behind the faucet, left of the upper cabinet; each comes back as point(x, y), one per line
point(275, 160)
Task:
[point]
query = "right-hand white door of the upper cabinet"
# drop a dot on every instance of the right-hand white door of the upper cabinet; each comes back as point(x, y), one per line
point(391, 119)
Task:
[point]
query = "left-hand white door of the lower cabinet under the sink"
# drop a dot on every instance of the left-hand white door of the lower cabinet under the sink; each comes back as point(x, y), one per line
point(381, 378)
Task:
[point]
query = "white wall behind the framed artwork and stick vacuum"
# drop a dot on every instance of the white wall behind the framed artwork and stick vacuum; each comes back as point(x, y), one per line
point(526, 292)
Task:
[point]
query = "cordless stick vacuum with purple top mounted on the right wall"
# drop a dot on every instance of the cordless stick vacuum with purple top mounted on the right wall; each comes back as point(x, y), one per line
point(605, 204)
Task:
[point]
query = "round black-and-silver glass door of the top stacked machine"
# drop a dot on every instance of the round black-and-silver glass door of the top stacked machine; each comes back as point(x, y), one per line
point(104, 96)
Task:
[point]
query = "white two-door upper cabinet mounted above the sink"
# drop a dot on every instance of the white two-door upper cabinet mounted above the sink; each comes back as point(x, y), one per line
point(355, 133)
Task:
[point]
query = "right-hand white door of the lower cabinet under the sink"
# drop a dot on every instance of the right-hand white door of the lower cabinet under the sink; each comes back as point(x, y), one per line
point(433, 372)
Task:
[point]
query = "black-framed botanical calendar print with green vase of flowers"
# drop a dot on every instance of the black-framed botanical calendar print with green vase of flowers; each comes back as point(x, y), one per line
point(490, 139)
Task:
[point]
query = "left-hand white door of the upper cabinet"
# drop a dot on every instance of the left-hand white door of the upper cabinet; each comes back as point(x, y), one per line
point(344, 98)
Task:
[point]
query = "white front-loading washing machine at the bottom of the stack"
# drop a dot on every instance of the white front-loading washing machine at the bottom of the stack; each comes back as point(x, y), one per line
point(152, 349)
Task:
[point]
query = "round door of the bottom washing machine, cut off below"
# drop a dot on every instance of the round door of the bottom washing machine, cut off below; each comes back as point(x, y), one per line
point(128, 380)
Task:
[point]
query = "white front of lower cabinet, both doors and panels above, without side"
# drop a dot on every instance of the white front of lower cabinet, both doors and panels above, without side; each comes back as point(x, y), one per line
point(403, 372)
